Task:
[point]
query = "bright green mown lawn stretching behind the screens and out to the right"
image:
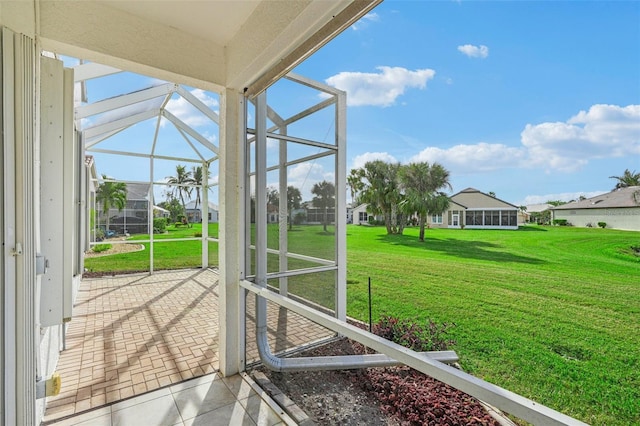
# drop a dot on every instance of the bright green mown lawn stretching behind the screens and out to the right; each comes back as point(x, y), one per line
point(552, 313)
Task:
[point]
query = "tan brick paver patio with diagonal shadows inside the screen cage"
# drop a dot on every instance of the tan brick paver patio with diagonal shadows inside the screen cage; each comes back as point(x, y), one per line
point(135, 333)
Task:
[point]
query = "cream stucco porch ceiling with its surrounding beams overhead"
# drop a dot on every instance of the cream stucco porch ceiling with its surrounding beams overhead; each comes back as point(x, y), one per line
point(208, 44)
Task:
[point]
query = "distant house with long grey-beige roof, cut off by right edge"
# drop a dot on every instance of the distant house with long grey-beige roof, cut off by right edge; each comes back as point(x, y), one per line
point(619, 209)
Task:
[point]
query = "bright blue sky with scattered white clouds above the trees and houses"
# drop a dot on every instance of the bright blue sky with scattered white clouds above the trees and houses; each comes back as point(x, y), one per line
point(531, 100)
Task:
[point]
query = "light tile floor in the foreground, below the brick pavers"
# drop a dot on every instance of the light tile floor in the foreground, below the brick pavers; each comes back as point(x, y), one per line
point(208, 400)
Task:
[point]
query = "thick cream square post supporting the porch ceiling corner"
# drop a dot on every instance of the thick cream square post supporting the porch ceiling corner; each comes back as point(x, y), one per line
point(231, 232)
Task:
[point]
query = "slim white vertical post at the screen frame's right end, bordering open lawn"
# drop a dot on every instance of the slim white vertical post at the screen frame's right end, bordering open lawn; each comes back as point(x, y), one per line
point(341, 206)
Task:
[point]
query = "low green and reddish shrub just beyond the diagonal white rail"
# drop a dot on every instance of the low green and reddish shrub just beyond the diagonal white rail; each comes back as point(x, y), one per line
point(413, 336)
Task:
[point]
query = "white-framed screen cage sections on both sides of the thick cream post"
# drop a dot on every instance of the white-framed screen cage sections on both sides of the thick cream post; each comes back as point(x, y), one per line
point(294, 143)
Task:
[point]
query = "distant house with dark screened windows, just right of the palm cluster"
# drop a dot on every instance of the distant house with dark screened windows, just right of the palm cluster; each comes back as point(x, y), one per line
point(474, 209)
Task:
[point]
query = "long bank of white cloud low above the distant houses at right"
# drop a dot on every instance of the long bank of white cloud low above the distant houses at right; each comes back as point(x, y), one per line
point(604, 131)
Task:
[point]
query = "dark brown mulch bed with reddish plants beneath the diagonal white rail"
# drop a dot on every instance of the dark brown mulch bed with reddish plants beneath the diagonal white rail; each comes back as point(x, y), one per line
point(376, 396)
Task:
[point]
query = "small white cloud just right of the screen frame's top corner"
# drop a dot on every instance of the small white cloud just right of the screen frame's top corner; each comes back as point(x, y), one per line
point(379, 89)
